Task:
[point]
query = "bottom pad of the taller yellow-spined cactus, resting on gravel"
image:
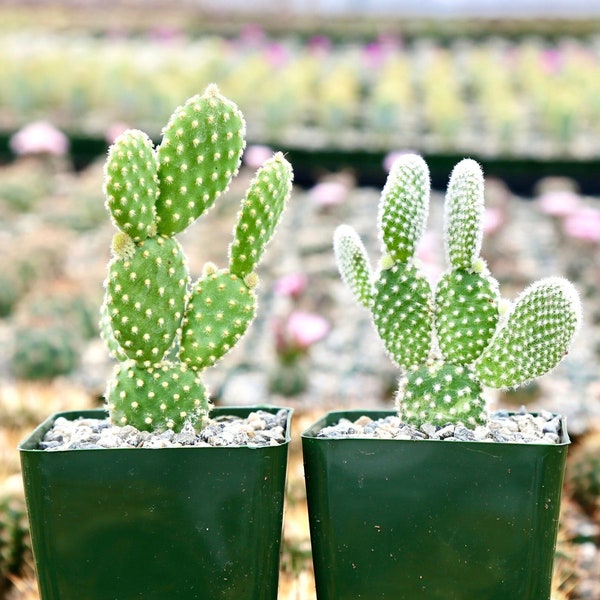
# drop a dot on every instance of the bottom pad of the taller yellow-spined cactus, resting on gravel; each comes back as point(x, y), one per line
point(164, 396)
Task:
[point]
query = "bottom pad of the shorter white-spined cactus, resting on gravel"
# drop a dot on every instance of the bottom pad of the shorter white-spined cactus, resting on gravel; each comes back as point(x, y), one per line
point(441, 393)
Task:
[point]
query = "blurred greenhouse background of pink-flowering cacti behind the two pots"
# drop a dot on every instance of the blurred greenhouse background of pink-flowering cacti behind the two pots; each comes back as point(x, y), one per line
point(341, 86)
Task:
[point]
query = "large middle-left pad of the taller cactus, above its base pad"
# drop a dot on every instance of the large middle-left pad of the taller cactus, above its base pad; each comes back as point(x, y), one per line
point(147, 294)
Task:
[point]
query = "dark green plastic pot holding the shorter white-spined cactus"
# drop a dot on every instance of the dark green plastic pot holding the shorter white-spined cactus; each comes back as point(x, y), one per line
point(429, 519)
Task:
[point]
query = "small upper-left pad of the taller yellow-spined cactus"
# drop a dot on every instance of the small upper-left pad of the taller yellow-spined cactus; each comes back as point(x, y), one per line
point(131, 183)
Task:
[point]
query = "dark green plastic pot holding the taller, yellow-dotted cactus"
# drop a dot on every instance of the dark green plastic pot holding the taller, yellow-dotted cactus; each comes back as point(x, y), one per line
point(169, 523)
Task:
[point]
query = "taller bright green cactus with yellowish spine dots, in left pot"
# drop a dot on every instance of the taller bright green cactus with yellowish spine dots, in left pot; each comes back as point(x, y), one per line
point(163, 328)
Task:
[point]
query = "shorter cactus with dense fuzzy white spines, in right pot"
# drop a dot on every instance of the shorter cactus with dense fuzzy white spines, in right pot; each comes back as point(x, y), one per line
point(453, 340)
